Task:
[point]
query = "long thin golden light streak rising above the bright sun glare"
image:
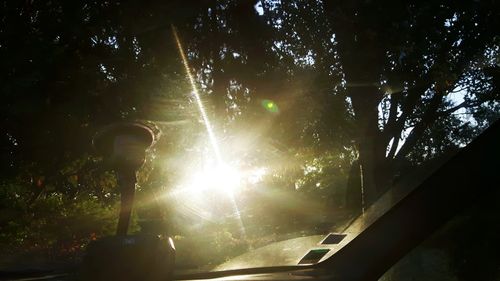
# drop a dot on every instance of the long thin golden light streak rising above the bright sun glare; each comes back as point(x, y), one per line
point(196, 94)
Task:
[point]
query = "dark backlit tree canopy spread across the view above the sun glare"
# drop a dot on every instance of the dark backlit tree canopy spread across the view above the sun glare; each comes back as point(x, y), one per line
point(387, 85)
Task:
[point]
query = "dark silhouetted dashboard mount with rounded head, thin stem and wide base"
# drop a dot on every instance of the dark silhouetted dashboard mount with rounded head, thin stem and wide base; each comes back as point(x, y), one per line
point(127, 257)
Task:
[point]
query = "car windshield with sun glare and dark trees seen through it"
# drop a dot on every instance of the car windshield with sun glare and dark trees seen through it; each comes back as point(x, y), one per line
point(273, 123)
